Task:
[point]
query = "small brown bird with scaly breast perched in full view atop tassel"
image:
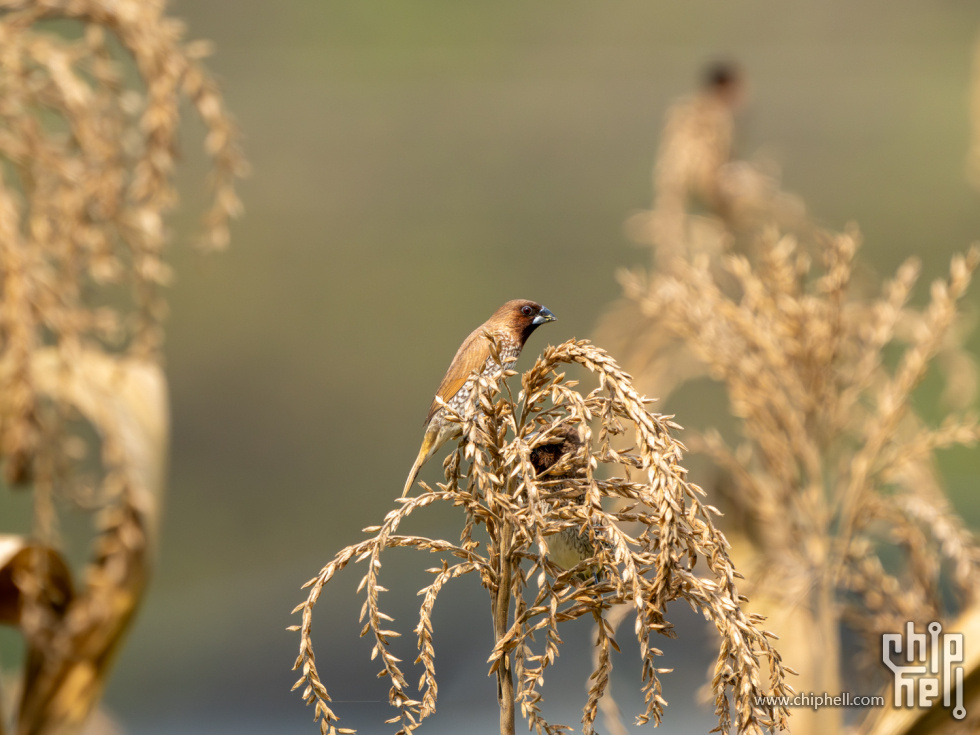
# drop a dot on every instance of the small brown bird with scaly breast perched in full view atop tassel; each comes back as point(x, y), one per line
point(510, 325)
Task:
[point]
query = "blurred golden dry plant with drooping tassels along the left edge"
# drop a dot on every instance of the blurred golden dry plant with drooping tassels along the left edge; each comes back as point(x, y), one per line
point(89, 109)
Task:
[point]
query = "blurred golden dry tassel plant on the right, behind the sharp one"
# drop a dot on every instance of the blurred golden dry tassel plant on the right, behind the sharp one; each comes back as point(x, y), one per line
point(843, 519)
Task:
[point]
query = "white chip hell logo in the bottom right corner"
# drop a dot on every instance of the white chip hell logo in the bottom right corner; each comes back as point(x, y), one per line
point(930, 666)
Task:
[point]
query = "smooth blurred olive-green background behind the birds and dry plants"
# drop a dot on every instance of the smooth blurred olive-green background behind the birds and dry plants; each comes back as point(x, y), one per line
point(415, 165)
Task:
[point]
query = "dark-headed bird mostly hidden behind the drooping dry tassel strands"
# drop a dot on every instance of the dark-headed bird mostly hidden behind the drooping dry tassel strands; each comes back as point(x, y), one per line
point(572, 545)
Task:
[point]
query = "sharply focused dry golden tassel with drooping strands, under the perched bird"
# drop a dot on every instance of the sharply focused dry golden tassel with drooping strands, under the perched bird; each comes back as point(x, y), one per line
point(676, 555)
